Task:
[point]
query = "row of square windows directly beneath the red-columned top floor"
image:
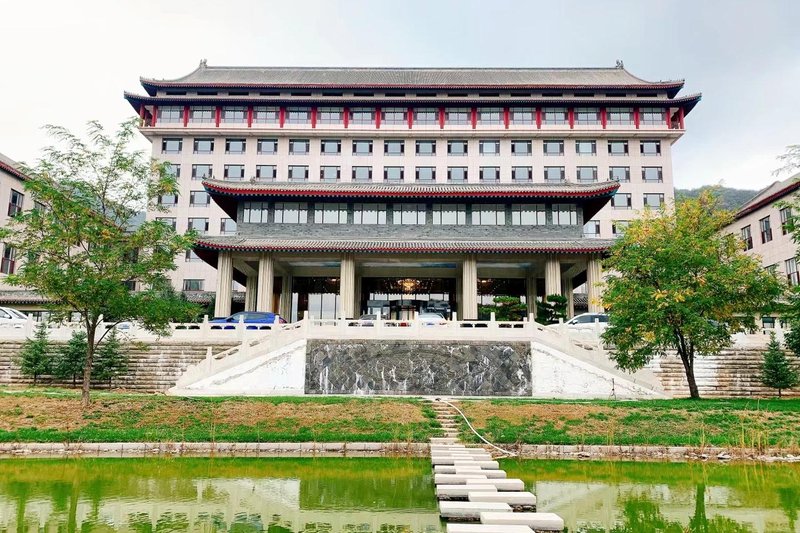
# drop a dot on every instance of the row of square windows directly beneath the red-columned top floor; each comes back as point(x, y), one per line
point(422, 147)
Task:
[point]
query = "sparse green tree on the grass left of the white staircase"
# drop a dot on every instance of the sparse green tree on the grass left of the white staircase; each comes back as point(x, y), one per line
point(85, 249)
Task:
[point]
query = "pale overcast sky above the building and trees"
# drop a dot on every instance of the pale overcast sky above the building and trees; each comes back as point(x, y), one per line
point(66, 62)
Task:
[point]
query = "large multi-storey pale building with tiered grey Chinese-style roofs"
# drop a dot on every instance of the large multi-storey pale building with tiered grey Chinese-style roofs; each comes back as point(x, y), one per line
point(342, 191)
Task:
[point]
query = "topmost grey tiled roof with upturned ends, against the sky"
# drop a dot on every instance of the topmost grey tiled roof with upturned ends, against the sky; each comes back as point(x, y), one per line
point(409, 78)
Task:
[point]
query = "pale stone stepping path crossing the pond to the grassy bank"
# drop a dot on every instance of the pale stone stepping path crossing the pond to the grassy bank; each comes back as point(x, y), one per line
point(471, 487)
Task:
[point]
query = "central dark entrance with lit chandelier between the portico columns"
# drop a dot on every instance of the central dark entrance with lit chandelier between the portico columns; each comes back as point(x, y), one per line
point(401, 298)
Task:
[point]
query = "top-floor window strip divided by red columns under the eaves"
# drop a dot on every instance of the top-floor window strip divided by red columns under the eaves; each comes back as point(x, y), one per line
point(459, 116)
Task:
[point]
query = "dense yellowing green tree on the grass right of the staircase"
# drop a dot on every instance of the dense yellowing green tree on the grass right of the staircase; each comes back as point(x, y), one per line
point(680, 282)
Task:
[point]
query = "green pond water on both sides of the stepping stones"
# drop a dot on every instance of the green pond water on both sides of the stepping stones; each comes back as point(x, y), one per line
point(383, 495)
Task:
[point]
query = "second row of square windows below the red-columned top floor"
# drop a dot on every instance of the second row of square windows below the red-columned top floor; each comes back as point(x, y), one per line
point(397, 174)
